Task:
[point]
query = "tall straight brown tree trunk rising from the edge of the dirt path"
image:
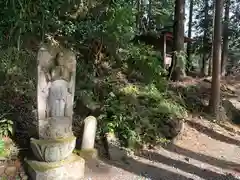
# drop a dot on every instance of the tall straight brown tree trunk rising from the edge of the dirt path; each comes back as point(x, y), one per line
point(214, 101)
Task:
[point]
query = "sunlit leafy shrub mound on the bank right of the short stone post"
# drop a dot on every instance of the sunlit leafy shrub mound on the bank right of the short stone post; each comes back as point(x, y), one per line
point(137, 114)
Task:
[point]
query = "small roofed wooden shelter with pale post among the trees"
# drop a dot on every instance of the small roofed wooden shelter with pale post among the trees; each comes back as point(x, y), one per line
point(163, 42)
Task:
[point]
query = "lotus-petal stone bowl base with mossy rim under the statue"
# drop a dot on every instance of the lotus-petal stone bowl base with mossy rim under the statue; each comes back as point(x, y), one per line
point(52, 150)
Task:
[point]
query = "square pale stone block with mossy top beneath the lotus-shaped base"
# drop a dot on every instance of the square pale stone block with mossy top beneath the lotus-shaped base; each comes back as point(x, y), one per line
point(71, 168)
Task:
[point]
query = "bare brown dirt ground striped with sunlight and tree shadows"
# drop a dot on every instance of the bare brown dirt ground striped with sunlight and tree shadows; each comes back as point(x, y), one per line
point(205, 150)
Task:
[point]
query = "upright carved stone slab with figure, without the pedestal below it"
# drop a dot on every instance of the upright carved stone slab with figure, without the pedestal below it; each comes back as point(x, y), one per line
point(57, 85)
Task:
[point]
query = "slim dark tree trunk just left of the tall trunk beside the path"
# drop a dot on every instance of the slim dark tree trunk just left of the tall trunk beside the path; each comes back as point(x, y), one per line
point(205, 38)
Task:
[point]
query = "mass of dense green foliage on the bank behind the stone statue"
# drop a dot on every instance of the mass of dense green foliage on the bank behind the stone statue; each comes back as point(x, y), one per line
point(131, 91)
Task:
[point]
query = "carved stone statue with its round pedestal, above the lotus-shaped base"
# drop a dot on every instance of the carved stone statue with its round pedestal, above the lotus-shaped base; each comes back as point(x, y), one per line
point(56, 86)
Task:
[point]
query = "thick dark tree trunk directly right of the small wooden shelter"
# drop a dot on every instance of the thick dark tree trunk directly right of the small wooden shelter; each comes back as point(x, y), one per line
point(178, 67)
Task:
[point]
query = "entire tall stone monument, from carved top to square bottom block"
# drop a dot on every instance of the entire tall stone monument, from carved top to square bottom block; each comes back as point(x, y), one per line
point(55, 95)
